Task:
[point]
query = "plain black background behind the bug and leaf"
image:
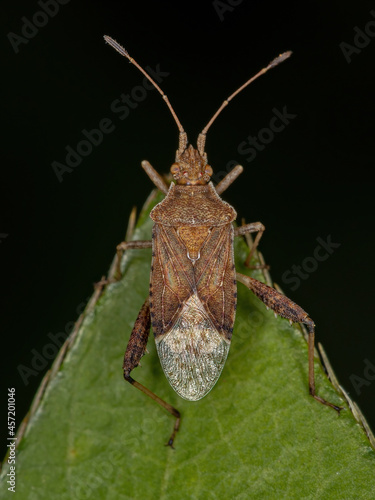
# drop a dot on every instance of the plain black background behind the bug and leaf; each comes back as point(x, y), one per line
point(313, 180)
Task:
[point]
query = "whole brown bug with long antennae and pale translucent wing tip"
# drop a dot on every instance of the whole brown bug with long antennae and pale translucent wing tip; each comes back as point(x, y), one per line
point(193, 284)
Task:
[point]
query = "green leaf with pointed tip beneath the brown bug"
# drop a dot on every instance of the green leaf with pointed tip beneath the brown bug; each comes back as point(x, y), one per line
point(257, 434)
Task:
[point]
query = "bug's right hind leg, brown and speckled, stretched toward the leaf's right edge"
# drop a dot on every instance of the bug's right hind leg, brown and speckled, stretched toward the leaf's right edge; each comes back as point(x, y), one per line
point(286, 308)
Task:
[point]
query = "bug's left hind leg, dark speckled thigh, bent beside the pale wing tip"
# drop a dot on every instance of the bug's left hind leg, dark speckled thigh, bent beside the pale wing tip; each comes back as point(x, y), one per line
point(134, 351)
